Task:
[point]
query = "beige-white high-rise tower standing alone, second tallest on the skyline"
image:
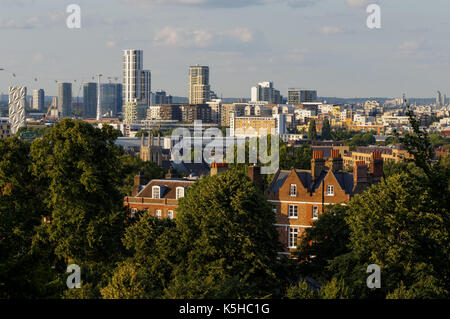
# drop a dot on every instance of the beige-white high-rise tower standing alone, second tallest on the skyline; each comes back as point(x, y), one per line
point(199, 88)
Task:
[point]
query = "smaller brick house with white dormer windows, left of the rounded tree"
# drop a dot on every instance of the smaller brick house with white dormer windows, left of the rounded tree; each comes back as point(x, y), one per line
point(159, 197)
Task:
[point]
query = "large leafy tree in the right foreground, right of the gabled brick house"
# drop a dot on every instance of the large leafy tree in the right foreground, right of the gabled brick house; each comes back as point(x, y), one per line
point(394, 225)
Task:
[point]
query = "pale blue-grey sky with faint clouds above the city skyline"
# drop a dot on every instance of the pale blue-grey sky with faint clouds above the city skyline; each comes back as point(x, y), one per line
point(314, 44)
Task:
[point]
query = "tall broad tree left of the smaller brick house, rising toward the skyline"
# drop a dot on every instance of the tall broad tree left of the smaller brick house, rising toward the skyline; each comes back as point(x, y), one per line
point(78, 166)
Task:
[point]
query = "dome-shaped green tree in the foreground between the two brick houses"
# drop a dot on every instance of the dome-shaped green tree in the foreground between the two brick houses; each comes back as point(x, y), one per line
point(227, 241)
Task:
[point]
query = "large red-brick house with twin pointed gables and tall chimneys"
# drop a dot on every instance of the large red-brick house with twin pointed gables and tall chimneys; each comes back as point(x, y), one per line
point(298, 197)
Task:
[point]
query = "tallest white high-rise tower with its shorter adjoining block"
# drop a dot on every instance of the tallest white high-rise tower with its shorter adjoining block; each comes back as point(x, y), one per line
point(136, 80)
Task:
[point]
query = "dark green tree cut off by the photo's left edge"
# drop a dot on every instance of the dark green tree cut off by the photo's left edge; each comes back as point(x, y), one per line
point(24, 271)
